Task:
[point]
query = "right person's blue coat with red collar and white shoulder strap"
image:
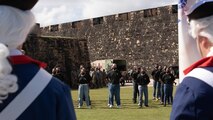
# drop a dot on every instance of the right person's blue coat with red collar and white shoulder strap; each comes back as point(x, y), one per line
point(194, 96)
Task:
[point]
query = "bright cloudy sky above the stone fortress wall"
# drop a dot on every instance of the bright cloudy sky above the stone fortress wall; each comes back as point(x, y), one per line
point(50, 12)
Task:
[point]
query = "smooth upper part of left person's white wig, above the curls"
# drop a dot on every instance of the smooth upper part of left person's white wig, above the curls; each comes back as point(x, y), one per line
point(15, 25)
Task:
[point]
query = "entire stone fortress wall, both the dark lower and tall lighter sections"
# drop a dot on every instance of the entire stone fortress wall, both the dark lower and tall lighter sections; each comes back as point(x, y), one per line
point(143, 38)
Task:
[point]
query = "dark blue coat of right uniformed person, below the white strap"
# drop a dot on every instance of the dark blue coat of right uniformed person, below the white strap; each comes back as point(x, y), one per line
point(193, 100)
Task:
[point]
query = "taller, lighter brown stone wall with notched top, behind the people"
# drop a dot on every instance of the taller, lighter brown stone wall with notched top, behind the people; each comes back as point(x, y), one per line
point(141, 37)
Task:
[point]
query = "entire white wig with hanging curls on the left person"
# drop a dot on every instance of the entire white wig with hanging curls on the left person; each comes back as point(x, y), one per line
point(15, 25)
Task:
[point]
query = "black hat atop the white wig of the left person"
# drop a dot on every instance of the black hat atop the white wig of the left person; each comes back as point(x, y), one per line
point(20, 4)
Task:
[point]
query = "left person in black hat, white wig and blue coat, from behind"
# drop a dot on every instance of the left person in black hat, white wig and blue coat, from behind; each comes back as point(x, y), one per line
point(27, 91)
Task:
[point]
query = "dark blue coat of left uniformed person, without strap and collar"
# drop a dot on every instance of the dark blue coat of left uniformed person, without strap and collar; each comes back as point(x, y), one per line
point(54, 102)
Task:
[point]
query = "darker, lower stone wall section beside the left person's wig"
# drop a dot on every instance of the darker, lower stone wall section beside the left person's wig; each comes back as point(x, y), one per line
point(66, 52)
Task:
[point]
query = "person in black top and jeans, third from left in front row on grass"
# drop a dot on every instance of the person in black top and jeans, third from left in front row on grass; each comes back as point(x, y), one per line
point(142, 81)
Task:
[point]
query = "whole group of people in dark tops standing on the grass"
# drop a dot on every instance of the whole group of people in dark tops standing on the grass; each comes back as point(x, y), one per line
point(163, 80)
